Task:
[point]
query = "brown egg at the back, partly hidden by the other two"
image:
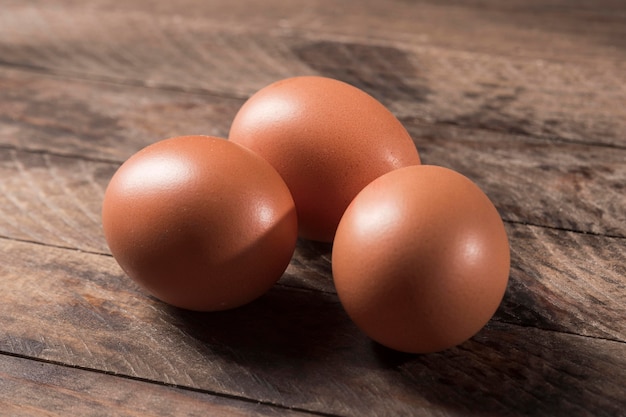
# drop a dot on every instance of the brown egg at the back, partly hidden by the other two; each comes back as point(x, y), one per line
point(327, 139)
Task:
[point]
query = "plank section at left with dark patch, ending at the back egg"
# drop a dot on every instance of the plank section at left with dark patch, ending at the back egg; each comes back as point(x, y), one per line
point(99, 120)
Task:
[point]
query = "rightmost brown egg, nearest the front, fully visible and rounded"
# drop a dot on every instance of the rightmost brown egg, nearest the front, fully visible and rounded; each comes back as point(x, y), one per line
point(421, 259)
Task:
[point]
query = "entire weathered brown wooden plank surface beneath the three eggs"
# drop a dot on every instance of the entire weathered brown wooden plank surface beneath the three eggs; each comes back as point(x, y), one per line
point(527, 98)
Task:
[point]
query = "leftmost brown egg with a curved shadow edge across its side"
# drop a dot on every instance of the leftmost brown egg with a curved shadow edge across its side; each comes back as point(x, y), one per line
point(200, 222)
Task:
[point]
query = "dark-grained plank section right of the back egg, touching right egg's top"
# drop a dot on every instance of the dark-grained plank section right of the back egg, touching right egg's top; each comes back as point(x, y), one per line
point(569, 186)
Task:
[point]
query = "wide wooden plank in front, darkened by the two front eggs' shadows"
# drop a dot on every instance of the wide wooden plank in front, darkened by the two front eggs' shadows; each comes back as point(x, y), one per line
point(293, 348)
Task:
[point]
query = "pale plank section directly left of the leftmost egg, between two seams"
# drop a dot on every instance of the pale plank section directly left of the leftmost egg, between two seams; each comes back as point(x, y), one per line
point(53, 200)
